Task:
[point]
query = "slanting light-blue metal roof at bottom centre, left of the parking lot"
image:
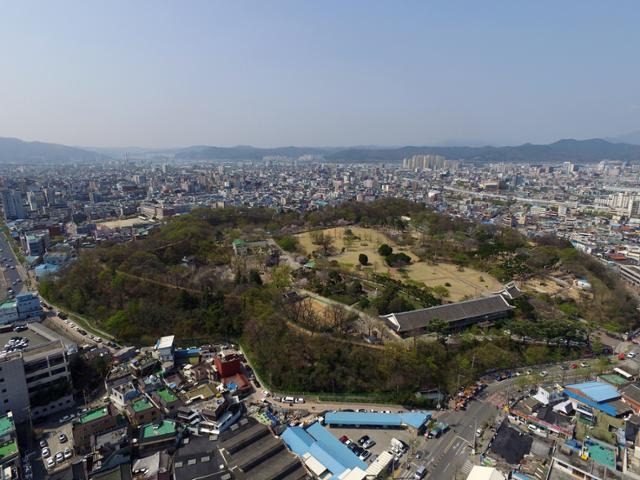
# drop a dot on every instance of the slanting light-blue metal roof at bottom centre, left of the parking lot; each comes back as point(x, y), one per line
point(323, 446)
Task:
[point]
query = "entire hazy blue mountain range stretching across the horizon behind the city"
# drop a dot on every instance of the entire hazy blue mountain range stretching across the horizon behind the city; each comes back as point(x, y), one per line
point(13, 150)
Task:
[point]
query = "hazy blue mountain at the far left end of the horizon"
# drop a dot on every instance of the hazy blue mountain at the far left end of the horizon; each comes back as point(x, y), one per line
point(13, 150)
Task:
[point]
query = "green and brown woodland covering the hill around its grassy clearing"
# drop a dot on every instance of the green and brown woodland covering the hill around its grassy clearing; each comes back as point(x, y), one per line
point(184, 280)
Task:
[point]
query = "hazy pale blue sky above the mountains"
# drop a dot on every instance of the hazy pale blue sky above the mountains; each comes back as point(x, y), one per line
point(270, 73)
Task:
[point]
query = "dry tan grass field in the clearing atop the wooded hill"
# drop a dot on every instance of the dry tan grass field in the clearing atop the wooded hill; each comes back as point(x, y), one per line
point(466, 283)
